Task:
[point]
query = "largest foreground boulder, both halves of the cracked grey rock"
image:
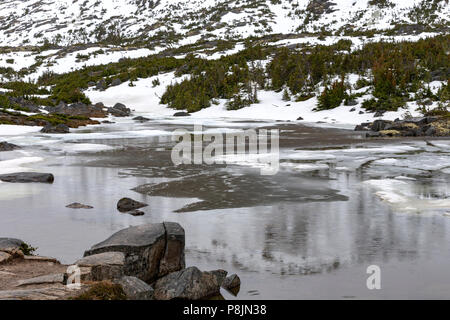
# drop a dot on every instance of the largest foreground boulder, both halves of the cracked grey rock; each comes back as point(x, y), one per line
point(146, 248)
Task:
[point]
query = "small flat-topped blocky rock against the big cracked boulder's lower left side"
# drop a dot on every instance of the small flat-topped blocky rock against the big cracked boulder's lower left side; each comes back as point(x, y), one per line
point(104, 266)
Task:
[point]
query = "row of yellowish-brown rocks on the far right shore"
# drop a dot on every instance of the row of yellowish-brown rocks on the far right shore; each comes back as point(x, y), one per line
point(413, 127)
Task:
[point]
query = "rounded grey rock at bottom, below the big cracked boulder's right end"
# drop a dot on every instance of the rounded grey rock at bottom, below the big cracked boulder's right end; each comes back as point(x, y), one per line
point(187, 284)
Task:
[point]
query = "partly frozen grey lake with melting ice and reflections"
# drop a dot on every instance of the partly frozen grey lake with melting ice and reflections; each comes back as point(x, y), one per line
point(339, 204)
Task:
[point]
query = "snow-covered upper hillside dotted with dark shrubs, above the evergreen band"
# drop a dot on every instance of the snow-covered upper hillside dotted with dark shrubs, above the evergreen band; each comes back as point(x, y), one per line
point(31, 22)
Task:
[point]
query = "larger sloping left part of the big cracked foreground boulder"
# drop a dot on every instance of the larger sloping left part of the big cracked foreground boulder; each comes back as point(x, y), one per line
point(143, 246)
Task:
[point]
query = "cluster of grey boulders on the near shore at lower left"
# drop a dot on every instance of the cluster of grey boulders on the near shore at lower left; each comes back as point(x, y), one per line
point(147, 261)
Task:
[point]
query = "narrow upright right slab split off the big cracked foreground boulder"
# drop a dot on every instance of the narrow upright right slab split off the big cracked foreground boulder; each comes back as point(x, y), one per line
point(173, 259)
